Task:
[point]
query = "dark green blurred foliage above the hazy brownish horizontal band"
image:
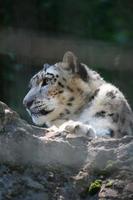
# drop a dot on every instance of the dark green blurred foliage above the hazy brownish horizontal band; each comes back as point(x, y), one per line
point(98, 19)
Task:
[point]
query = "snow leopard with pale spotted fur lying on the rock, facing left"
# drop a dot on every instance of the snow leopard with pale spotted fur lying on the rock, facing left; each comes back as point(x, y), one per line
point(69, 90)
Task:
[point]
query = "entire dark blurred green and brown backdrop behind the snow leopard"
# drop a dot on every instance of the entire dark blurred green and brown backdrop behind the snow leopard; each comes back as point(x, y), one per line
point(33, 32)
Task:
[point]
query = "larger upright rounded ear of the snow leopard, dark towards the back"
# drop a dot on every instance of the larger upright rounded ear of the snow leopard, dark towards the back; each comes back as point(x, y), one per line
point(71, 62)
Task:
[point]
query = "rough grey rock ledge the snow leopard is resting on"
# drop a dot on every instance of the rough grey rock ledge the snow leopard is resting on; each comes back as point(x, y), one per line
point(42, 164)
